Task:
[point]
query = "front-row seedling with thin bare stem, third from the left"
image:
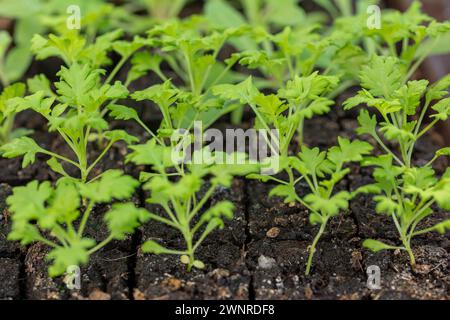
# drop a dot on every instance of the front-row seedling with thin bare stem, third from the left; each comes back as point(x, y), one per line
point(322, 172)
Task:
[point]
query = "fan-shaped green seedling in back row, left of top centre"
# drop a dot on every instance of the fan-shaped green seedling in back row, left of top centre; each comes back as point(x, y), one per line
point(191, 49)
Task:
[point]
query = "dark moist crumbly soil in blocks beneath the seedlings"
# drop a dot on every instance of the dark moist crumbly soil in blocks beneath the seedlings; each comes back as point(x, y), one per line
point(260, 254)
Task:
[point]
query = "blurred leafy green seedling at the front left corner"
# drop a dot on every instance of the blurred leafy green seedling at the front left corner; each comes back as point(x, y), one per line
point(57, 217)
